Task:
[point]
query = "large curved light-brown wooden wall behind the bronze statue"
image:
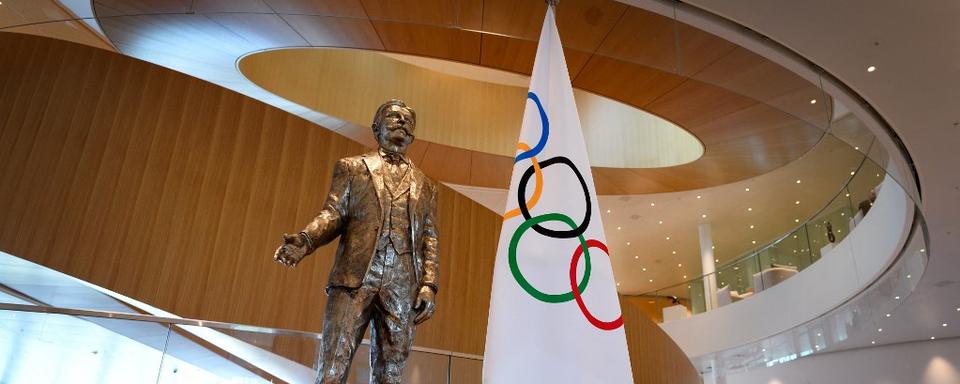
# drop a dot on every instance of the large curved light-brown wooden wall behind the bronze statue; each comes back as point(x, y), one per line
point(175, 192)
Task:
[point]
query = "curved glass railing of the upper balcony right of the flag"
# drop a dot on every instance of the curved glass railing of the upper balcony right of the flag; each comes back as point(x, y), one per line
point(770, 264)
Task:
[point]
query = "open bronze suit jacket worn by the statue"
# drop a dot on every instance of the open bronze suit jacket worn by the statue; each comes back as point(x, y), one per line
point(354, 210)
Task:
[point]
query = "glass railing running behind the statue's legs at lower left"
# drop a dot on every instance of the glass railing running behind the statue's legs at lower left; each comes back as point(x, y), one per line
point(44, 344)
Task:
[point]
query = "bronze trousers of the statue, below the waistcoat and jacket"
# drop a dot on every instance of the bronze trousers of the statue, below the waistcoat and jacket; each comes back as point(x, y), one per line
point(384, 301)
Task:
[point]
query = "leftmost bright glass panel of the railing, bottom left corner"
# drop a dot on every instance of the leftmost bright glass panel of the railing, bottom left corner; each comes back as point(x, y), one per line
point(54, 348)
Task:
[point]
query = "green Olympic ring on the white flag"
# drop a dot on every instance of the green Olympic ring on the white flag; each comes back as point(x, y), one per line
point(515, 269)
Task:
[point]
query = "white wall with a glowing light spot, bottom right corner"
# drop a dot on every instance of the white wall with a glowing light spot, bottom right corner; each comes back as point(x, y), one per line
point(921, 362)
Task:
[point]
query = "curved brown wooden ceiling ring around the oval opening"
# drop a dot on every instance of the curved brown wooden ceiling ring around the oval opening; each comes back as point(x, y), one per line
point(752, 115)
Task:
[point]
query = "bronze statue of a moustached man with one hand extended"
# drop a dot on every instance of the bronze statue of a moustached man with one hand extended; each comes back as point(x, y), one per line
point(386, 267)
